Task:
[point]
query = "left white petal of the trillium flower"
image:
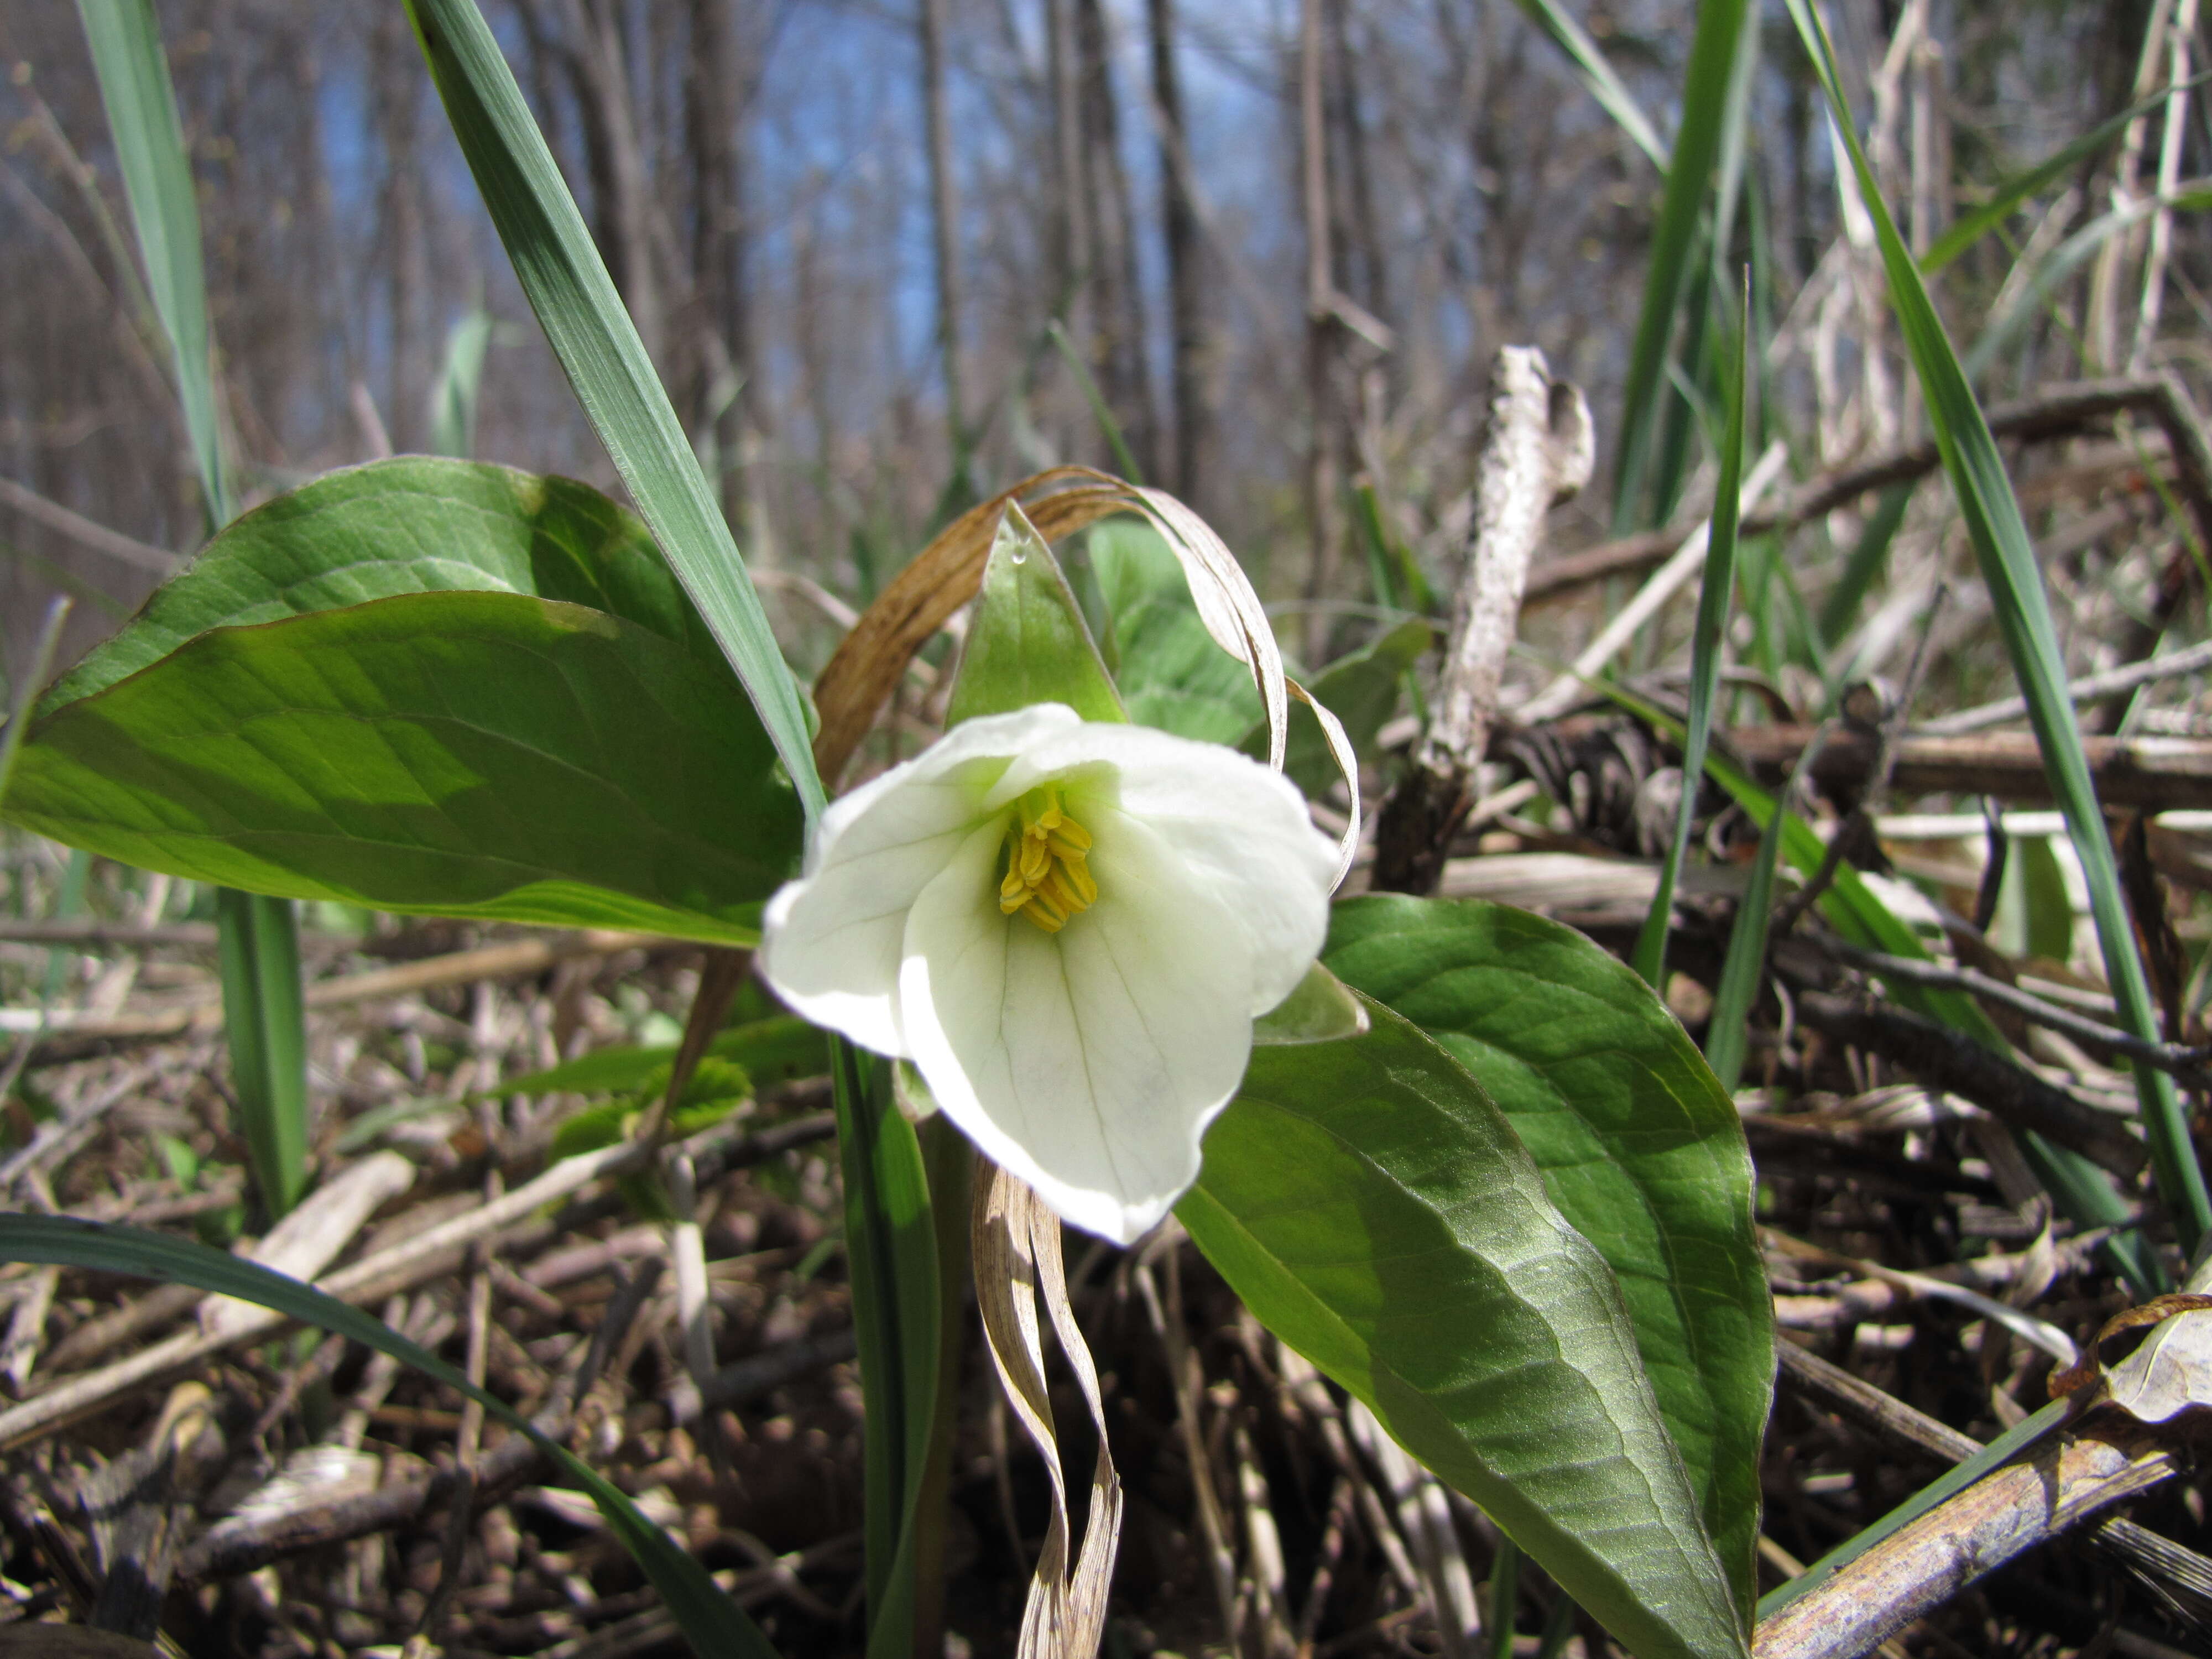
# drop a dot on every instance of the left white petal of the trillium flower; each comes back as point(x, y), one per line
point(831, 941)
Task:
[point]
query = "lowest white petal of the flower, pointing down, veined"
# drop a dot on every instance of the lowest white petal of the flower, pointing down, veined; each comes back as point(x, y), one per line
point(1092, 1061)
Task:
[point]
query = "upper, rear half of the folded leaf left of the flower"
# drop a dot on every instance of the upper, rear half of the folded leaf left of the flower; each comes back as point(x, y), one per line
point(406, 525)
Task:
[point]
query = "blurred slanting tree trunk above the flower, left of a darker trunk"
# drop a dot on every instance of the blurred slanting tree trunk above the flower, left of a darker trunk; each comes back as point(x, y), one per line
point(1118, 306)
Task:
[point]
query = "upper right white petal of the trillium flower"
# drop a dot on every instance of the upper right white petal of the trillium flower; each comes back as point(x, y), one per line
point(1240, 826)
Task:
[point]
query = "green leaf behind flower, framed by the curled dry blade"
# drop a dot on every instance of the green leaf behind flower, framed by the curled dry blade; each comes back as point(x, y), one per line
point(1169, 669)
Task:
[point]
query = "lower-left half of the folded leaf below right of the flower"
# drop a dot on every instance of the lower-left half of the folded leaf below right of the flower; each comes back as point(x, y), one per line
point(1379, 1213)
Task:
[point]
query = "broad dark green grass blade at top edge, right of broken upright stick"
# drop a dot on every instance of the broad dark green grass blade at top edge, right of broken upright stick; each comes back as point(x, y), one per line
point(1673, 262)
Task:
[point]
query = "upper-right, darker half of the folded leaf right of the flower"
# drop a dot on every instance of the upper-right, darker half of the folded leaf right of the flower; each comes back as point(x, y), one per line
point(1640, 1149)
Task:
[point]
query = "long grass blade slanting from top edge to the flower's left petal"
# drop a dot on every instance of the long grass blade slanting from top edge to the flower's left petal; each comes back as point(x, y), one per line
point(607, 364)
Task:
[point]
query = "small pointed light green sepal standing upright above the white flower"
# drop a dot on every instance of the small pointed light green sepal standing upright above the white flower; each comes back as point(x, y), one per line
point(1027, 638)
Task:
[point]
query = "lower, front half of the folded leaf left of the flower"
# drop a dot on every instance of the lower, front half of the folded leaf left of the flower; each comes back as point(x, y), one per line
point(452, 753)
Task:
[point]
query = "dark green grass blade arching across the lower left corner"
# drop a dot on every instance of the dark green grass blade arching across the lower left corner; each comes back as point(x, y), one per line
point(713, 1625)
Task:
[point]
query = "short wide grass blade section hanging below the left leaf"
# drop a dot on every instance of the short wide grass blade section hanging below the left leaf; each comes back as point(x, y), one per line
point(264, 1014)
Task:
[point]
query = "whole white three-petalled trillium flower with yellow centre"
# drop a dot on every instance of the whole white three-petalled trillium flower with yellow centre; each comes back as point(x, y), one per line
point(1070, 930)
